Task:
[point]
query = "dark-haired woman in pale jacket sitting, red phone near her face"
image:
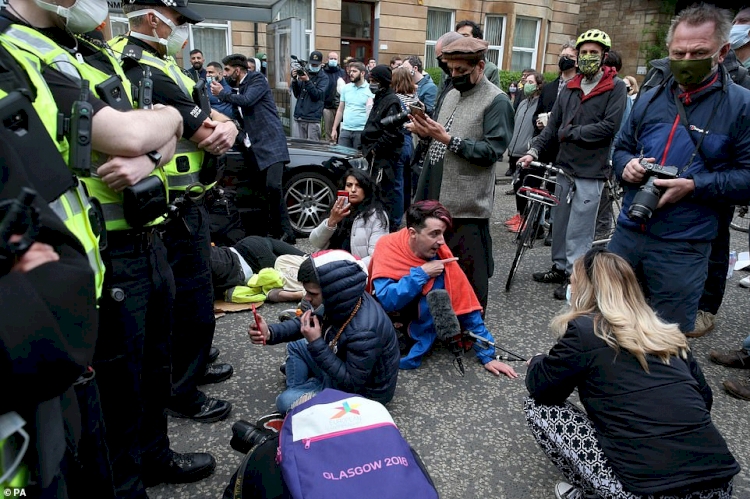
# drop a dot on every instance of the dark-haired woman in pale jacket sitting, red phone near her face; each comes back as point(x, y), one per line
point(355, 224)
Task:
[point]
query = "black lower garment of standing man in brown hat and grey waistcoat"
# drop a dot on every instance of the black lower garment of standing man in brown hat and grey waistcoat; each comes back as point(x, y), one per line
point(471, 242)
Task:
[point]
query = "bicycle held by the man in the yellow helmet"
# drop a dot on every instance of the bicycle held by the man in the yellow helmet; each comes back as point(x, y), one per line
point(540, 198)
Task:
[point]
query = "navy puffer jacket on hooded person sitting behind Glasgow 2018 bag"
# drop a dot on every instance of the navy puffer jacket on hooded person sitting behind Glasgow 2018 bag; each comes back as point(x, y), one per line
point(366, 357)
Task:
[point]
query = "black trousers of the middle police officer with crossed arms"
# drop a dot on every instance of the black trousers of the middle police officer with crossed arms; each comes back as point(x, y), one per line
point(132, 357)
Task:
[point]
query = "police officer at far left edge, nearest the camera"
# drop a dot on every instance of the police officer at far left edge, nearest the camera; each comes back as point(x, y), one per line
point(47, 335)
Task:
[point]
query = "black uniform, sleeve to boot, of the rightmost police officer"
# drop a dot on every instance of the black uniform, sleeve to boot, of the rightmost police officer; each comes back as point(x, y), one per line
point(188, 244)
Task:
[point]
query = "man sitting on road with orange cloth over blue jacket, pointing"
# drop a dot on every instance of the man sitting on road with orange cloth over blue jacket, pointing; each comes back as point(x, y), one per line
point(410, 263)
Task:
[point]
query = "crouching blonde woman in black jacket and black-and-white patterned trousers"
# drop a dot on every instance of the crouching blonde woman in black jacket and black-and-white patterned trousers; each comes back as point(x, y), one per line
point(647, 429)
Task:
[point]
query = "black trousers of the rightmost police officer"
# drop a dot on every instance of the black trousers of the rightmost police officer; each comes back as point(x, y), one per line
point(188, 242)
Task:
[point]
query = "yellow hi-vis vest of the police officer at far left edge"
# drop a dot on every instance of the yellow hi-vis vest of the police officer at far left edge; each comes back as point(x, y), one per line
point(73, 207)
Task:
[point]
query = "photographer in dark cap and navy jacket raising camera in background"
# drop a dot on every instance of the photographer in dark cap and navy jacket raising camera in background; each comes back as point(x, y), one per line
point(309, 86)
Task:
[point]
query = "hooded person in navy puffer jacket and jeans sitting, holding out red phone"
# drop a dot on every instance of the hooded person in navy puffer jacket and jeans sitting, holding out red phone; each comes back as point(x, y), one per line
point(348, 340)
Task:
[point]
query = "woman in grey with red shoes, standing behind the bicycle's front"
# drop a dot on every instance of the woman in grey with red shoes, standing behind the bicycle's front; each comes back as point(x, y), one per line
point(523, 132)
